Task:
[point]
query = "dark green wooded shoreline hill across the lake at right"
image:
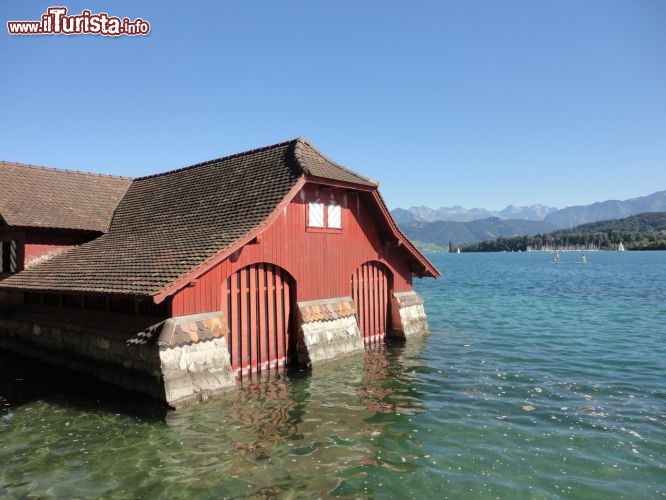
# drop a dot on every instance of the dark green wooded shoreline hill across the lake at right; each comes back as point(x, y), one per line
point(639, 232)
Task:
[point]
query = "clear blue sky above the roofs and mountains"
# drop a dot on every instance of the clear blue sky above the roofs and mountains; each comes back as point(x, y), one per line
point(472, 103)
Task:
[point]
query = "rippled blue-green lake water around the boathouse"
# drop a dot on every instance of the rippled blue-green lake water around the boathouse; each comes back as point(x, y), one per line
point(538, 380)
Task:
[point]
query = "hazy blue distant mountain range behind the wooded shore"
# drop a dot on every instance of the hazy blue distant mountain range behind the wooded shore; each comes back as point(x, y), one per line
point(438, 227)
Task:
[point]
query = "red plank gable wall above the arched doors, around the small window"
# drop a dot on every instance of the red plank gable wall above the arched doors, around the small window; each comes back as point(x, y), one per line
point(320, 261)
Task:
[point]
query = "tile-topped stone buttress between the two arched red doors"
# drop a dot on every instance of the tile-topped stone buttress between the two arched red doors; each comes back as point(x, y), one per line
point(327, 330)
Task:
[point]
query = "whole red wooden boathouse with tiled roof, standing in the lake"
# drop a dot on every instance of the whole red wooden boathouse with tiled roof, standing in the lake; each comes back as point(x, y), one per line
point(225, 268)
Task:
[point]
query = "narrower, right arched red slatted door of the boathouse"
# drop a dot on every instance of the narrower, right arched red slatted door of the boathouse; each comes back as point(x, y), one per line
point(371, 286)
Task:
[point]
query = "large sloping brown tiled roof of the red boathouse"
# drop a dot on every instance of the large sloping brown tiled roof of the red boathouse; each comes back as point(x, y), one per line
point(169, 224)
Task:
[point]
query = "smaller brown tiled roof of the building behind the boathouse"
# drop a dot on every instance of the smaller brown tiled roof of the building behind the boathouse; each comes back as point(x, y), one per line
point(51, 198)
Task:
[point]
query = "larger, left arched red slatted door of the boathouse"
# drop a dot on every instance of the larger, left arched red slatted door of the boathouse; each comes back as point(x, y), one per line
point(259, 303)
